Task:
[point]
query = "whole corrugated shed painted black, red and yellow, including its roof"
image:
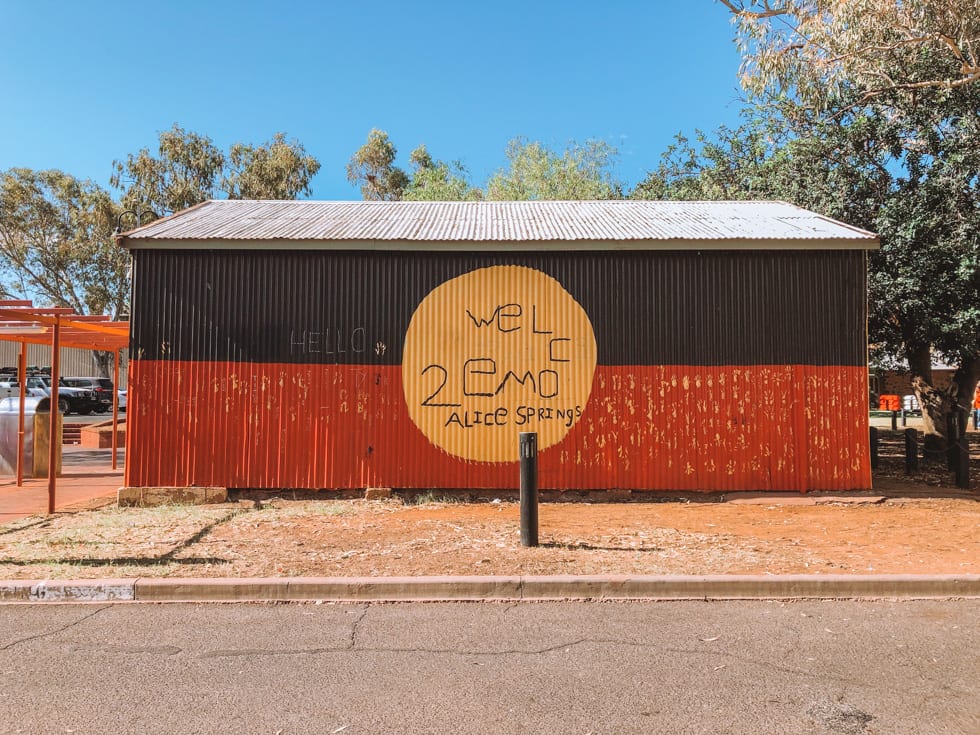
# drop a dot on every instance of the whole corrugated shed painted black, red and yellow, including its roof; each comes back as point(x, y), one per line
point(652, 345)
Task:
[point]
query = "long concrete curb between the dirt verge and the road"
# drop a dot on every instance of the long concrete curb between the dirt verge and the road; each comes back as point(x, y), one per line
point(436, 589)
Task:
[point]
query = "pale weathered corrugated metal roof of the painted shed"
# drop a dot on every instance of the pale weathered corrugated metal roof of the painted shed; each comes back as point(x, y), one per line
point(620, 224)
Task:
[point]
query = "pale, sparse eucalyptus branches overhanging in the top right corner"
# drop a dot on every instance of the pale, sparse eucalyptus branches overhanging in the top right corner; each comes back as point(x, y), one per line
point(820, 48)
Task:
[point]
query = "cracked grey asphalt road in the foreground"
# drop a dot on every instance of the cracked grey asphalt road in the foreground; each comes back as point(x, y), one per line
point(720, 667)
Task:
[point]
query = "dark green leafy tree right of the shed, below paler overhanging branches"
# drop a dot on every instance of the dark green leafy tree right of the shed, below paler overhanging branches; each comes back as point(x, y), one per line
point(911, 177)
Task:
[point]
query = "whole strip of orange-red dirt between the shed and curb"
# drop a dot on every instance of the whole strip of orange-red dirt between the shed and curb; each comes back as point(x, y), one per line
point(918, 525)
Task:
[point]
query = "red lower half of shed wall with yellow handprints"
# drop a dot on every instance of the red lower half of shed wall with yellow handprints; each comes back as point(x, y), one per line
point(781, 427)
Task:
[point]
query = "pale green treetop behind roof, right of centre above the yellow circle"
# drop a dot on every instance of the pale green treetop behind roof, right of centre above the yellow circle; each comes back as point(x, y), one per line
point(534, 171)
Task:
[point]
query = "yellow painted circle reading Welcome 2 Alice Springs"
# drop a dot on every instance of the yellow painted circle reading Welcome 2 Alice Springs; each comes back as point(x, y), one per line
point(495, 352)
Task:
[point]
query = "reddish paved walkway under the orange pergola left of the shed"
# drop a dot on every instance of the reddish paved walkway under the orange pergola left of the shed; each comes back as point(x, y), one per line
point(87, 480)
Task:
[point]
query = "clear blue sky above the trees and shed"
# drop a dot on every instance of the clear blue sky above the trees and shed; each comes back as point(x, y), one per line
point(85, 83)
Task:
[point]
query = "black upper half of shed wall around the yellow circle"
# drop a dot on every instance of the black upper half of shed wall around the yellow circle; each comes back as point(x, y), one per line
point(646, 307)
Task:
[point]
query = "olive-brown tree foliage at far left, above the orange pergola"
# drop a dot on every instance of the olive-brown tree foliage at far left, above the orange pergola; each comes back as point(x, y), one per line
point(56, 245)
